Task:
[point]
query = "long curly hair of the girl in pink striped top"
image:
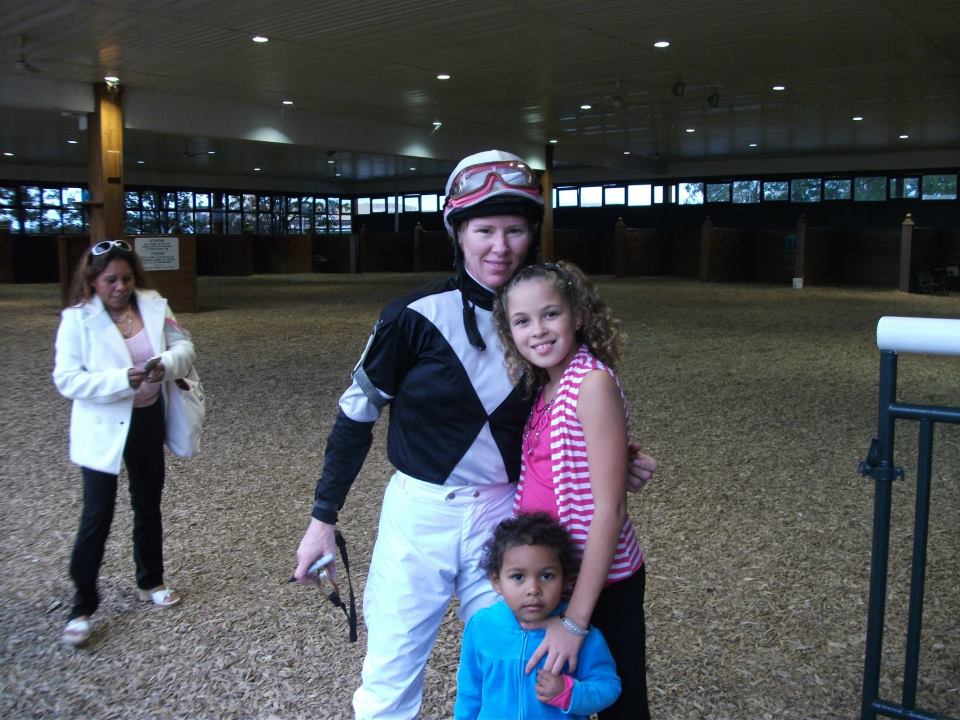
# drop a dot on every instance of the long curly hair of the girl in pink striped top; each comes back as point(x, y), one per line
point(599, 329)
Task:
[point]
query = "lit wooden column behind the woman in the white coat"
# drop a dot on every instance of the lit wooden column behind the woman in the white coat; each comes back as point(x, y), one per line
point(105, 161)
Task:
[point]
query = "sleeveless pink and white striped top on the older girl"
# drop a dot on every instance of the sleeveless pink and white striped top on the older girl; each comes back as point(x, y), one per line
point(571, 473)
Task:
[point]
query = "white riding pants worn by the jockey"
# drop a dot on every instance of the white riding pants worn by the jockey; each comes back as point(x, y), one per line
point(428, 548)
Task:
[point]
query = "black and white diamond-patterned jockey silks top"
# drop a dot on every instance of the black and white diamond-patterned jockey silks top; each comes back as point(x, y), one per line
point(455, 417)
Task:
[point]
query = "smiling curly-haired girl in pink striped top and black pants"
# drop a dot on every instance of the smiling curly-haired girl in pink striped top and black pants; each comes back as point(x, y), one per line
point(562, 340)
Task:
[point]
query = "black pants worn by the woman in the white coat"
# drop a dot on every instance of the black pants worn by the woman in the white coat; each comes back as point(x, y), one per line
point(143, 456)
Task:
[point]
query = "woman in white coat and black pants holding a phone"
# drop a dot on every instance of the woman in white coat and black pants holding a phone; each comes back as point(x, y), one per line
point(116, 344)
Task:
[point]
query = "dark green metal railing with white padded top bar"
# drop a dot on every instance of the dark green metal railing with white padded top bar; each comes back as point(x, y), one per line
point(907, 335)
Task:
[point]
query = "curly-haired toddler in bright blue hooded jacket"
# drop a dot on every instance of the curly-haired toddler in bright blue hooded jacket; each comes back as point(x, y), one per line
point(530, 561)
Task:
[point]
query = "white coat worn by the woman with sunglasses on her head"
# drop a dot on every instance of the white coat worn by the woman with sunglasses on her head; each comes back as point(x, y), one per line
point(91, 366)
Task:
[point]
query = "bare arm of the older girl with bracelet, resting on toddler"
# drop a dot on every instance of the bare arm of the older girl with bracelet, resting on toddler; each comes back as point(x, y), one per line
point(601, 412)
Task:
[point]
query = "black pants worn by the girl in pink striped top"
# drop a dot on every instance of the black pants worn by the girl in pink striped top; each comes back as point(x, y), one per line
point(619, 616)
